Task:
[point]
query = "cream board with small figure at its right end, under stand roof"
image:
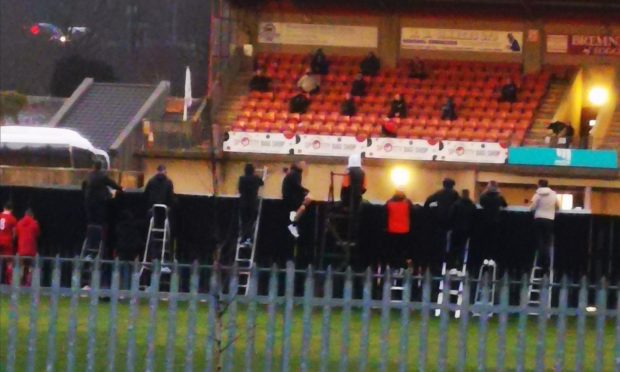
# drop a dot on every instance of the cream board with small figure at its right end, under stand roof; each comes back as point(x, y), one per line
point(461, 40)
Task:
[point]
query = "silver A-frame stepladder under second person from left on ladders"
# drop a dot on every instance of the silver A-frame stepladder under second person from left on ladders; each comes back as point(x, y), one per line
point(158, 241)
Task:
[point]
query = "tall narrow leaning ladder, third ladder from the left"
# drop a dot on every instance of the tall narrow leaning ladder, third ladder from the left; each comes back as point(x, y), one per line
point(245, 249)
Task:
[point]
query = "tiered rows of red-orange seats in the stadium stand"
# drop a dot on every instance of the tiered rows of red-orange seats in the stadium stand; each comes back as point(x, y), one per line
point(473, 85)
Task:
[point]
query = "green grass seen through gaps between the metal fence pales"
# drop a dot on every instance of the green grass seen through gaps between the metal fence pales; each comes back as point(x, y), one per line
point(239, 345)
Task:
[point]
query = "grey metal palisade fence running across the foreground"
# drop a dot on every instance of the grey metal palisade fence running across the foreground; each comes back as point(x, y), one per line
point(120, 316)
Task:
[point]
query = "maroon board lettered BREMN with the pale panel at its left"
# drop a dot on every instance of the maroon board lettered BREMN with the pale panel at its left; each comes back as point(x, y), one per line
point(584, 45)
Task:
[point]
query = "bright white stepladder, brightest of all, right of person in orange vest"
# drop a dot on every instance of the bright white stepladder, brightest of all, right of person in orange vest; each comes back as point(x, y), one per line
point(453, 279)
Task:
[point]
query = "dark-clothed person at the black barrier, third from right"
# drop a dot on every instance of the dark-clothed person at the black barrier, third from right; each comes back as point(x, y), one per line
point(462, 214)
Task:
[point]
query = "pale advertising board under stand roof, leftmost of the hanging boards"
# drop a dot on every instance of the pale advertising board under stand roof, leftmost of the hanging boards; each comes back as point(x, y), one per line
point(320, 35)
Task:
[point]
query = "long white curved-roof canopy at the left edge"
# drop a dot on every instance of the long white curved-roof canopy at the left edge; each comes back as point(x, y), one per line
point(48, 147)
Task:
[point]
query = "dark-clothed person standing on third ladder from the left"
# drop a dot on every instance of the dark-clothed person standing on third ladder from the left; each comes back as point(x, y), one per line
point(248, 187)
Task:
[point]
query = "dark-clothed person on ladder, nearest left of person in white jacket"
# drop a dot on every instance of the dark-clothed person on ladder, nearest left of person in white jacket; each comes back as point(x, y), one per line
point(492, 202)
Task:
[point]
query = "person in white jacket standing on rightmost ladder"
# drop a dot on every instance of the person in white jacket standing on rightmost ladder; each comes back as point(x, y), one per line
point(544, 204)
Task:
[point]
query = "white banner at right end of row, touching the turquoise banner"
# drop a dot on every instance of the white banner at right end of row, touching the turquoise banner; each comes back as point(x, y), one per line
point(473, 152)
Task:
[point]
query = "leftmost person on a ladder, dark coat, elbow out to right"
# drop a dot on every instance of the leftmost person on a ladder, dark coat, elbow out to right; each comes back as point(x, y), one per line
point(96, 194)
